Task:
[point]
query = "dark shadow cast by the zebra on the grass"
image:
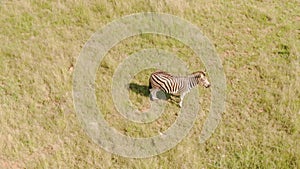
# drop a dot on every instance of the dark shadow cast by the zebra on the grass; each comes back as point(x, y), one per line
point(144, 91)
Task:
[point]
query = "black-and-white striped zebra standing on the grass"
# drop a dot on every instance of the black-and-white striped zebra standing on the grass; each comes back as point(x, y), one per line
point(175, 85)
